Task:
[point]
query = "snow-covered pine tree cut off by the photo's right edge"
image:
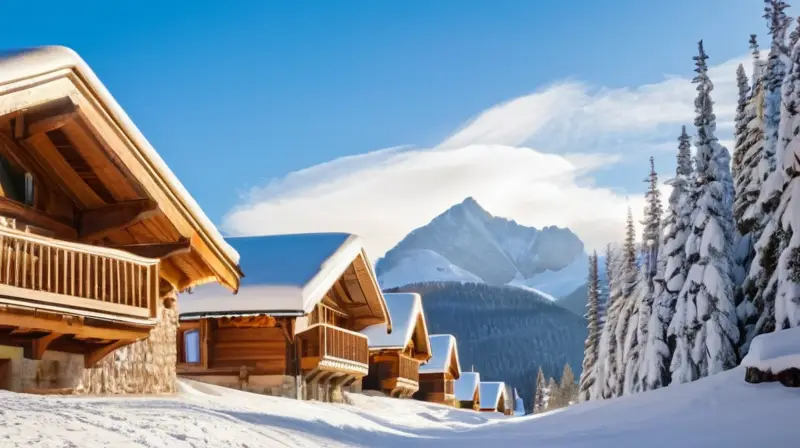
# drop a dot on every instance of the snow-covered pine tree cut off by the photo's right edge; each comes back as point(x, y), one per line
point(787, 297)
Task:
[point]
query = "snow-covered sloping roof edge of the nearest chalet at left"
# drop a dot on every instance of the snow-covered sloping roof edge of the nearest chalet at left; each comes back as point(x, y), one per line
point(19, 65)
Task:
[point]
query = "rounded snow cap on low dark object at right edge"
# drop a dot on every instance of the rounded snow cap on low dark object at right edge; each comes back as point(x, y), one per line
point(776, 351)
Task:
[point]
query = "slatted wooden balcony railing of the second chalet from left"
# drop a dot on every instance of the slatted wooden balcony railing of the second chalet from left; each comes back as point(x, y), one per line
point(327, 342)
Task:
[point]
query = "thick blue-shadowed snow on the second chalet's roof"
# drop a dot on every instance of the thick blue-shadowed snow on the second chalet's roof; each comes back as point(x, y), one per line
point(283, 274)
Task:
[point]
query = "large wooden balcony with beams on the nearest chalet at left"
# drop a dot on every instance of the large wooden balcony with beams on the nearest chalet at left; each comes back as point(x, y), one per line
point(81, 298)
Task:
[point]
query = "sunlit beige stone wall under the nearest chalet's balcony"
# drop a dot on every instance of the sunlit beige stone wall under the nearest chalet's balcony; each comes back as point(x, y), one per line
point(144, 367)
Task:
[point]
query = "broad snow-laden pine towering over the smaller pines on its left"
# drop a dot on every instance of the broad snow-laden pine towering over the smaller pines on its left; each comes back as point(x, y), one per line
point(705, 318)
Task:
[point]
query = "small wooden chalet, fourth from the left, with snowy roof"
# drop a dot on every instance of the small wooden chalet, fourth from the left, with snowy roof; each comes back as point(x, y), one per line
point(438, 375)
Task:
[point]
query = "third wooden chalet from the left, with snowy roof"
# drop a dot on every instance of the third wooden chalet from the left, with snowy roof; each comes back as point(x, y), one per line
point(394, 358)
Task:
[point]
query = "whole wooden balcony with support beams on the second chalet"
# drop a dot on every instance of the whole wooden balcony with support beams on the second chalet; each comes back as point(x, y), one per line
point(327, 348)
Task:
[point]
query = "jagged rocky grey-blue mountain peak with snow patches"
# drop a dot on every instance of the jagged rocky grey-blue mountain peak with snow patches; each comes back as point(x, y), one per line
point(466, 243)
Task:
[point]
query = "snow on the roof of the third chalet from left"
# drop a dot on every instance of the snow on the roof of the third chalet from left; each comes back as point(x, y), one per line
point(404, 309)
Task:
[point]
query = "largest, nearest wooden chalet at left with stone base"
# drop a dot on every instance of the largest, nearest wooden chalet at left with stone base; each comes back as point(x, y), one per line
point(96, 232)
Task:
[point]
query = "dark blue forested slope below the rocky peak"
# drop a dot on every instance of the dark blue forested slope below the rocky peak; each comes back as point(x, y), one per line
point(507, 333)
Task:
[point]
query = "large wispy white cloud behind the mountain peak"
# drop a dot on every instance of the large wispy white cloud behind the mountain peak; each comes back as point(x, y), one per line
point(576, 130)
